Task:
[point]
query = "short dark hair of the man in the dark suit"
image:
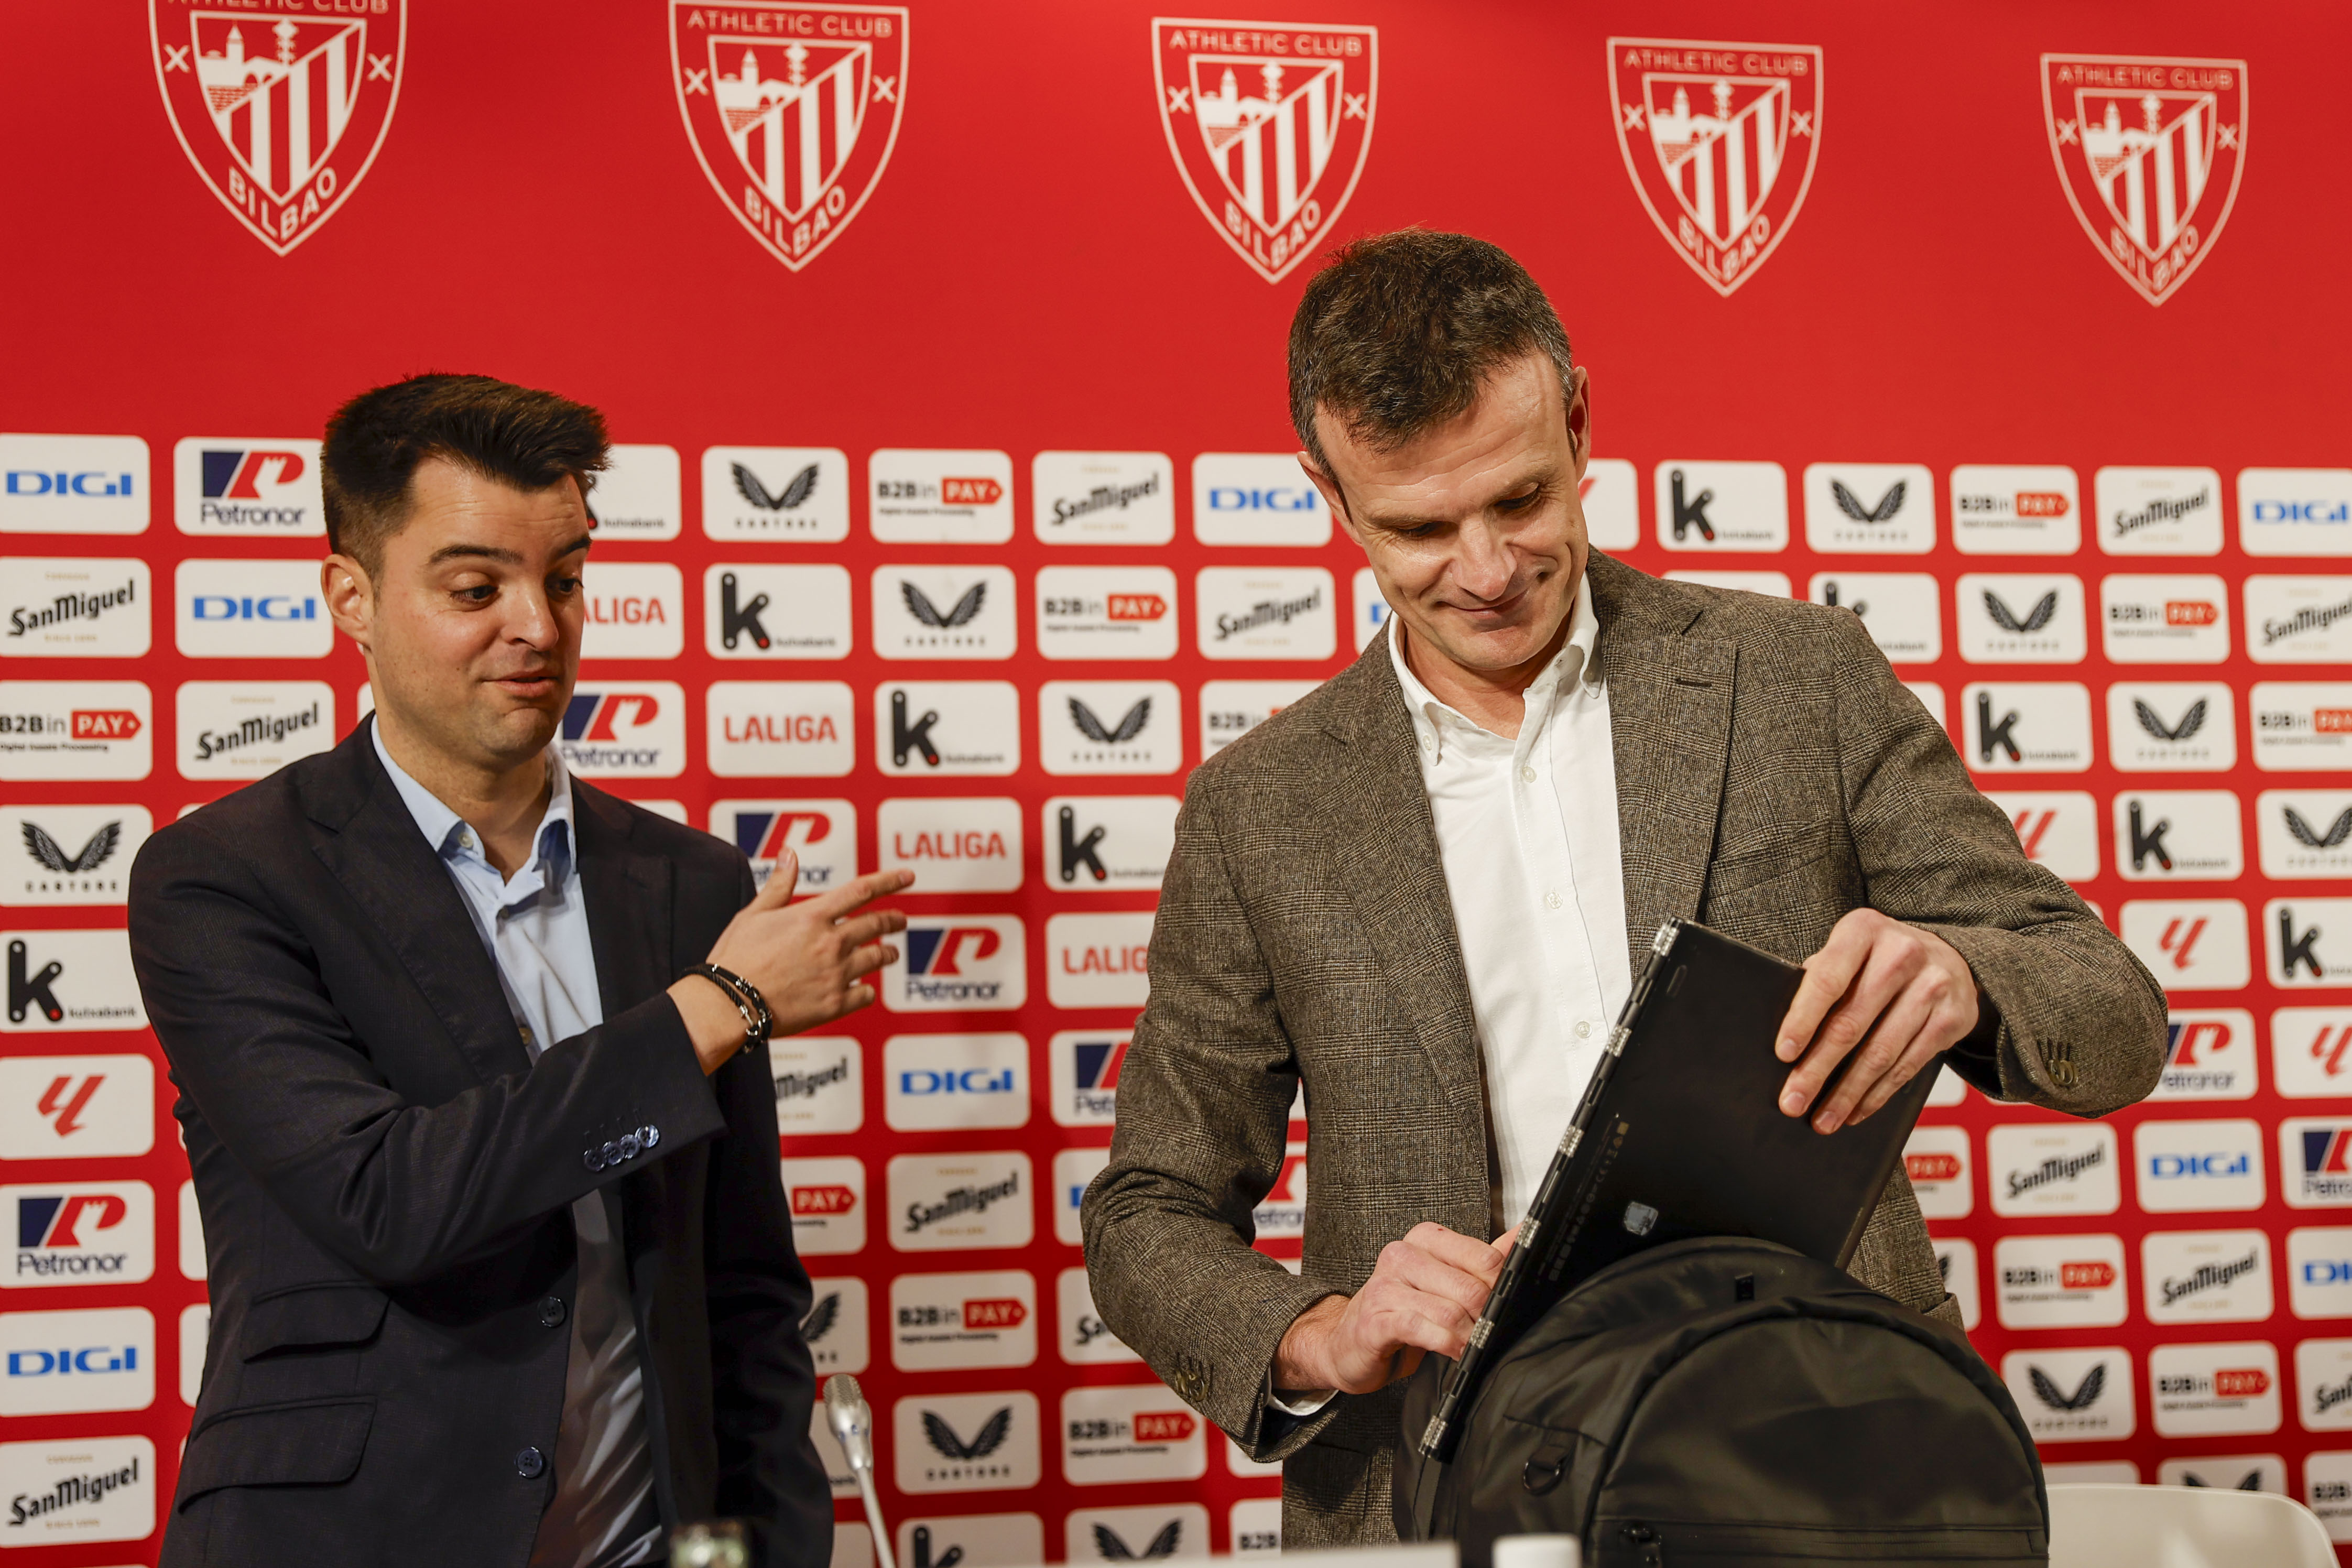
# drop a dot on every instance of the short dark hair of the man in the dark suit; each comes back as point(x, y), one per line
point(497, 429)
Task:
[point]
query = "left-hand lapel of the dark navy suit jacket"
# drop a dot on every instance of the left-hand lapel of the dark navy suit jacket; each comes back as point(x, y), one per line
point(382, 859)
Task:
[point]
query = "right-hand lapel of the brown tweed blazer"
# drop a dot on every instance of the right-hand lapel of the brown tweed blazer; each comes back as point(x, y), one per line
point(1671, 730)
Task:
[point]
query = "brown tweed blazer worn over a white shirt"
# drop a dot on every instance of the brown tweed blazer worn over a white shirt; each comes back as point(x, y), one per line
point(1772, 777)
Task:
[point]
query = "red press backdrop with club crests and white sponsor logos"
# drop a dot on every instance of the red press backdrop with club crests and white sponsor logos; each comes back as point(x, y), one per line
point(947, 344)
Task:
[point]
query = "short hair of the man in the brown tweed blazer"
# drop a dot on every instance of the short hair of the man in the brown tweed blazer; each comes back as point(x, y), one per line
point(1398, 335)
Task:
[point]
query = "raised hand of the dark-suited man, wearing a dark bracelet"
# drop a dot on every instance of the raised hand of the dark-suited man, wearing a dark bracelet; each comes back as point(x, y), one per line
point(810, 958)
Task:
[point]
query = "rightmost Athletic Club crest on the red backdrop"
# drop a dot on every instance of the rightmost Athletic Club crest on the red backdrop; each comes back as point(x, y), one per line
point(2149, 154)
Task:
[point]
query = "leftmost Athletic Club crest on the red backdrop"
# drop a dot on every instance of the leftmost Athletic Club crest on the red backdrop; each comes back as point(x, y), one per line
point(281, 109)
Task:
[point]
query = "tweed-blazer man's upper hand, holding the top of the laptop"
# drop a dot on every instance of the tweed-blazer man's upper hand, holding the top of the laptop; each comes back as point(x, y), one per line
point(1885, 993)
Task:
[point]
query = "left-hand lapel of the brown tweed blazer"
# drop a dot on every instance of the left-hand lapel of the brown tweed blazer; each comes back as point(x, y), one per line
point(1384, 850)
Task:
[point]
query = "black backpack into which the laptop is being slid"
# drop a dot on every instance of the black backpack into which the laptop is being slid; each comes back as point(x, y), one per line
point(1730, 1402)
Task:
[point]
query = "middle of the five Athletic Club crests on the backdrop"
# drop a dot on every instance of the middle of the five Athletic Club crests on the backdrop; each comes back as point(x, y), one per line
point(1269, 126)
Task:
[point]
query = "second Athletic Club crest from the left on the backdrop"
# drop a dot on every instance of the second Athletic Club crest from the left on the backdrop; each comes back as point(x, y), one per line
point(794, 112)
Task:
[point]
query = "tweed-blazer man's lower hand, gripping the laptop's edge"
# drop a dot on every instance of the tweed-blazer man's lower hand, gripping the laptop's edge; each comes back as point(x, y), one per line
point(1424, 1294)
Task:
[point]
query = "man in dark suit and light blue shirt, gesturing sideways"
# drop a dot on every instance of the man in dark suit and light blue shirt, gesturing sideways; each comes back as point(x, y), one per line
point(500, 1259)
